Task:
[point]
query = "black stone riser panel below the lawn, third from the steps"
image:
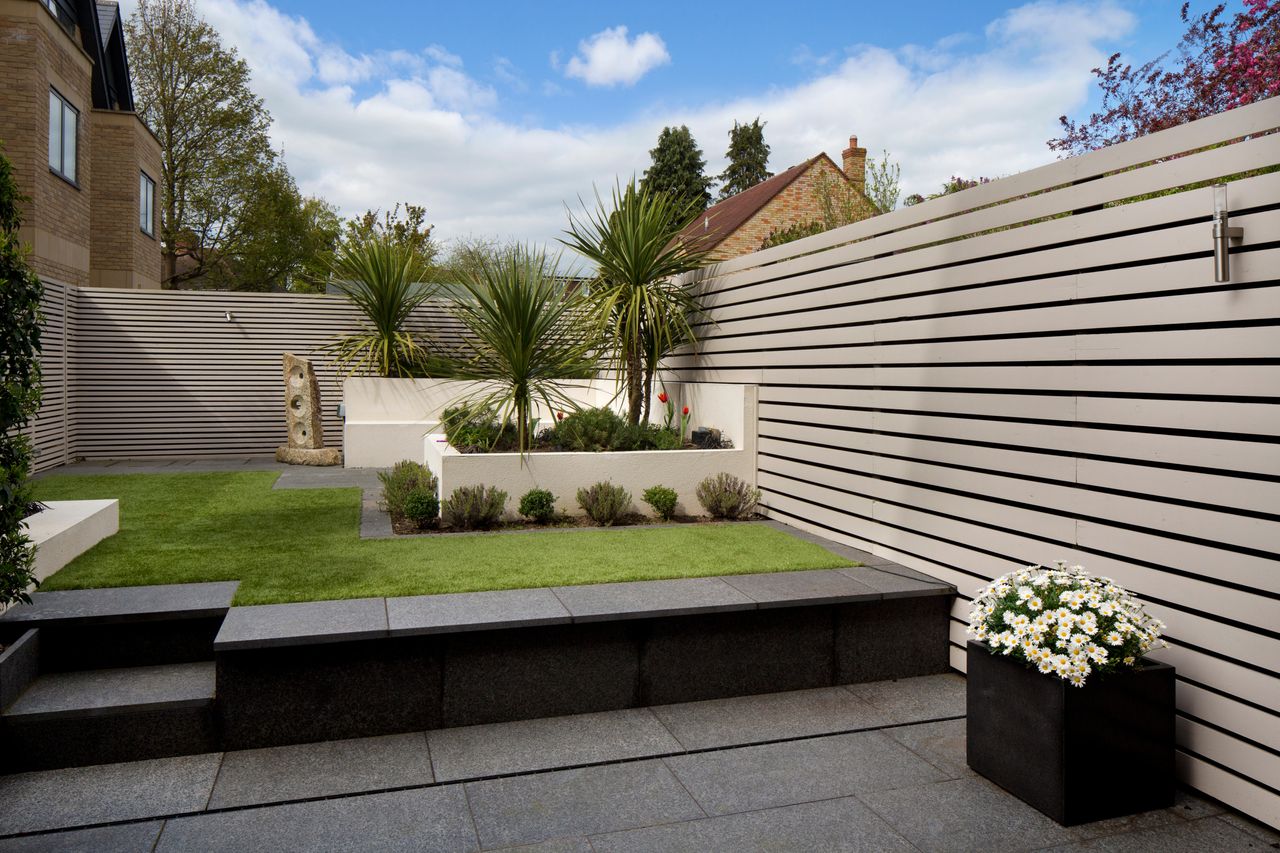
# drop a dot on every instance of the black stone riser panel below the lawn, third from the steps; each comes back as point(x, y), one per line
point(689, 659)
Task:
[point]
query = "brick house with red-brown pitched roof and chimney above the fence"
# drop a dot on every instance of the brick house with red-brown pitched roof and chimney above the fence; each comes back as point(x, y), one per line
point(742, 223)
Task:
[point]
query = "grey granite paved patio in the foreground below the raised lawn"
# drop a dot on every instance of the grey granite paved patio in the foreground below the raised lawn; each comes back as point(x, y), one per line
point(865, 768)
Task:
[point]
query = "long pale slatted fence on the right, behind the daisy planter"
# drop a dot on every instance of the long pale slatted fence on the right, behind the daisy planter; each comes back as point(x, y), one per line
point(1028, 372)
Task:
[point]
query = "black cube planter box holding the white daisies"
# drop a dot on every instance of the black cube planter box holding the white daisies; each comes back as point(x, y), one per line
point(1077, 755)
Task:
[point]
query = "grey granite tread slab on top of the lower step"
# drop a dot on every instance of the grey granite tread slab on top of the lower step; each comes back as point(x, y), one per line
point(97, 692)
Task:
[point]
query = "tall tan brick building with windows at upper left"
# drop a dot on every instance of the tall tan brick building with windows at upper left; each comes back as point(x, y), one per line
point(80, 153)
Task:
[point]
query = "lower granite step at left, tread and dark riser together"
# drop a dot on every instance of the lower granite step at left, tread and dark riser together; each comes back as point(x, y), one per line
point(99, 717)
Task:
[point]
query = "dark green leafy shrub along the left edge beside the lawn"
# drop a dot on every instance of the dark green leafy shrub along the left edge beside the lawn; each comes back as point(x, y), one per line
point(20, 391)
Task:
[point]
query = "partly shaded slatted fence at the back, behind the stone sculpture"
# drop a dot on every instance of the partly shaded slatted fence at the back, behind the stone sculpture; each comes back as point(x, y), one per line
point(164, 373)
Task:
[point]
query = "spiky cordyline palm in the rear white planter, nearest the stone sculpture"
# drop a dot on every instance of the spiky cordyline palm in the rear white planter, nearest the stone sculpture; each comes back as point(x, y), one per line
point(386, 281)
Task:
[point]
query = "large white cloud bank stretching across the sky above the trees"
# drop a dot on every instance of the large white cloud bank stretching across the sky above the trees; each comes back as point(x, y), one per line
point(422, 130)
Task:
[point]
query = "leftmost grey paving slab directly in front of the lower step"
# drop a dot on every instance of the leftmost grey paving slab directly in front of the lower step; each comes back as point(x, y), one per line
point(104, 793)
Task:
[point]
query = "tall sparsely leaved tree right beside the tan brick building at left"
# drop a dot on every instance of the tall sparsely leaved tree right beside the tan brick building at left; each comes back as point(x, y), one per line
point(195, 94)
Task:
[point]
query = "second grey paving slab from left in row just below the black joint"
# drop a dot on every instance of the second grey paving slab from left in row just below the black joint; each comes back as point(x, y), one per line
point(427, 819)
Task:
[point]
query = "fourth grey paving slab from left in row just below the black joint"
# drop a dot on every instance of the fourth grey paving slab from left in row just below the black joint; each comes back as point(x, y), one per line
point(799, 772)
